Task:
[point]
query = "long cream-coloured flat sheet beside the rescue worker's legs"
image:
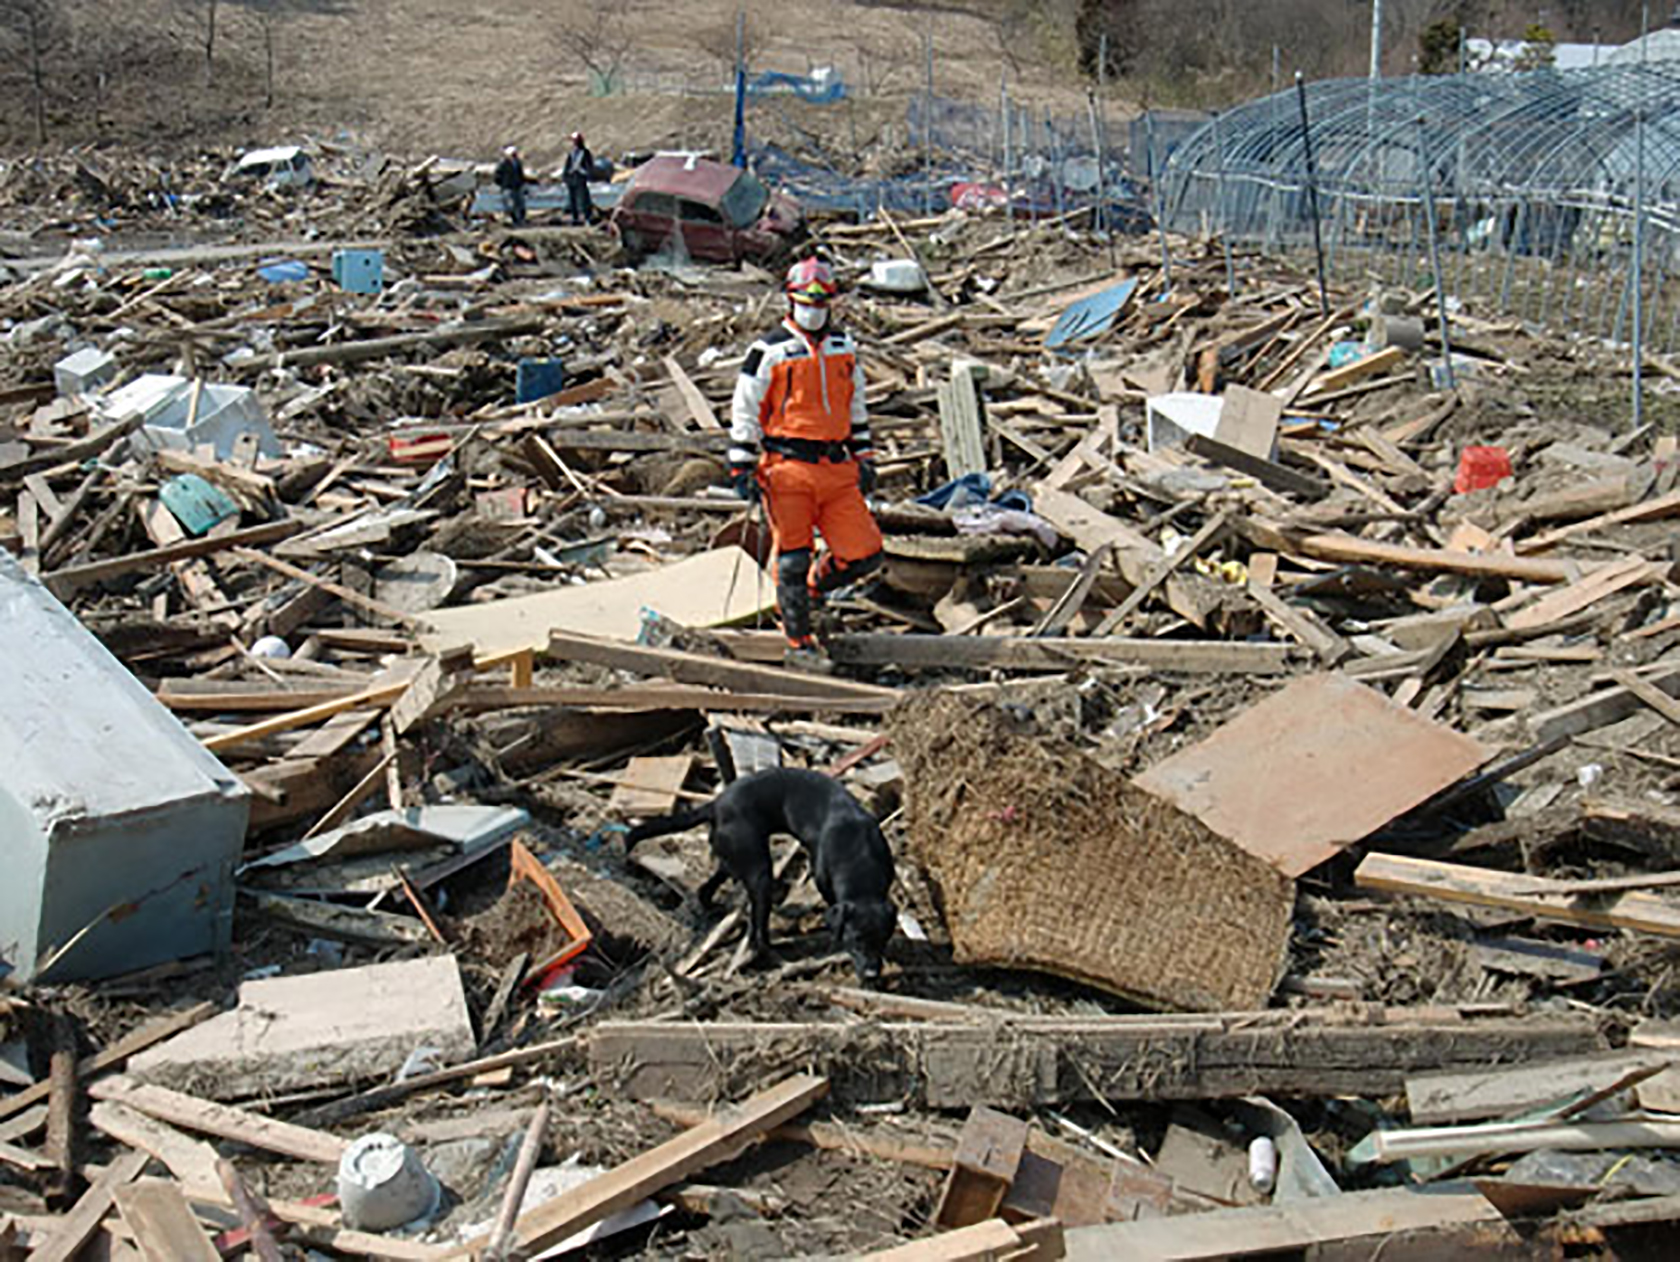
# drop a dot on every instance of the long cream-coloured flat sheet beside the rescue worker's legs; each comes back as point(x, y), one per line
point(711, 589)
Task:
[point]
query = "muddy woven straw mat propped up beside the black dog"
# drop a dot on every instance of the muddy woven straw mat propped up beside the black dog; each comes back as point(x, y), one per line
point(1016, 831)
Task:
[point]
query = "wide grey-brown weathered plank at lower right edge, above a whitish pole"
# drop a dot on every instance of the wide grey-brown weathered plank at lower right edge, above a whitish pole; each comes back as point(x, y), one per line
point(1501, 1091)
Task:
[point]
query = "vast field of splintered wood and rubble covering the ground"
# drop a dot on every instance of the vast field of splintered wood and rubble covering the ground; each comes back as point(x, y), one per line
point(1378, 730)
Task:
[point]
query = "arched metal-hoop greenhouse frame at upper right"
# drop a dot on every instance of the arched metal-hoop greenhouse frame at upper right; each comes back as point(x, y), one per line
point(1546, 197)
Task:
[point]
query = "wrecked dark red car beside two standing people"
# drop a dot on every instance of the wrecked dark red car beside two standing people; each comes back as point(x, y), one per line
point(722, 213)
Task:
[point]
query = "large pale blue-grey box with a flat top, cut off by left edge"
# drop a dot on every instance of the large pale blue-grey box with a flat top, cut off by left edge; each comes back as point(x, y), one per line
point(120, 831)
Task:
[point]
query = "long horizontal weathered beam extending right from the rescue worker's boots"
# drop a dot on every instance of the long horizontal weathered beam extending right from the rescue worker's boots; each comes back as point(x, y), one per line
point(945, 653)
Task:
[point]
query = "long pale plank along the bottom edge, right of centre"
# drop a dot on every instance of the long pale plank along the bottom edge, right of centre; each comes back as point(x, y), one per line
point(1284, 1229)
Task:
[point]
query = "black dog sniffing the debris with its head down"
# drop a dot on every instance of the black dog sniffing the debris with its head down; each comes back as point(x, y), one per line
point(851, 860)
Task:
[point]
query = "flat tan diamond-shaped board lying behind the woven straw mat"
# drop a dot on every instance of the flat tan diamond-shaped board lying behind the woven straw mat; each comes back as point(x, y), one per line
point(1313, 770)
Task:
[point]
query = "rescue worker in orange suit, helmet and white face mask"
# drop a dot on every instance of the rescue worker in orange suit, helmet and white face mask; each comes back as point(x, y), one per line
point(801, 444)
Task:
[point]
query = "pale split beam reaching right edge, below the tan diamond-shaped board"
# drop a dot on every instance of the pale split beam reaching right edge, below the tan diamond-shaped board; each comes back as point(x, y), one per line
point(1457, 883)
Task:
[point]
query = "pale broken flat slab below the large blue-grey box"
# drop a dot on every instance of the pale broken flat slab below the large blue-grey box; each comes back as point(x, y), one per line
point(318, 1029)
